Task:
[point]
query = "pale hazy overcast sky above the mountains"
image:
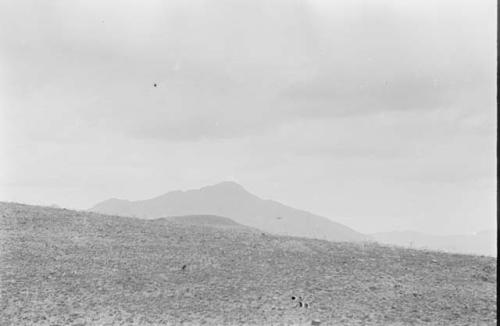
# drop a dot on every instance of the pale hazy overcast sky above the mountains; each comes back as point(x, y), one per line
point(378, 114)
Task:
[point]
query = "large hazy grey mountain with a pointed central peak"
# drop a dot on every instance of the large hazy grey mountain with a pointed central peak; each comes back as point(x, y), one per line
point(231, 200)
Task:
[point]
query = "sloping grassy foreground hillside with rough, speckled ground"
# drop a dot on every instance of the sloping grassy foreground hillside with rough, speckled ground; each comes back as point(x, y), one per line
point(63, 267)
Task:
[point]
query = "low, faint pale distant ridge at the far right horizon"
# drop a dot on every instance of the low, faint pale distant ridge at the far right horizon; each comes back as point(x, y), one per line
point(482, 243)
